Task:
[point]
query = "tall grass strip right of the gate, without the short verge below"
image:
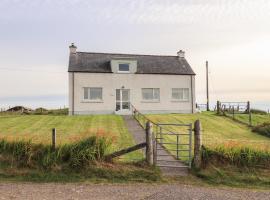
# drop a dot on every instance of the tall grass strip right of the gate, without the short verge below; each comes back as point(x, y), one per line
point(238, 156)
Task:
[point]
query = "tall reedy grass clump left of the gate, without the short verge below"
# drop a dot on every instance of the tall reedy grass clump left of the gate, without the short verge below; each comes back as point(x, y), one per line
point(76, 155)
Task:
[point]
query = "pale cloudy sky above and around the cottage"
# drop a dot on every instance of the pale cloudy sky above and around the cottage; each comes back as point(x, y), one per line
point(233, 35)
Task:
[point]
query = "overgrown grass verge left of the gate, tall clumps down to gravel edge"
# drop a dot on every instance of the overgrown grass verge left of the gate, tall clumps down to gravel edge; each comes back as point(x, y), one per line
point(73, 162)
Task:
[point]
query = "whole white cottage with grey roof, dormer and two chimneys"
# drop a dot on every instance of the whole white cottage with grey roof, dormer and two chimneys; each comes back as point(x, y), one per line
point(107, 83)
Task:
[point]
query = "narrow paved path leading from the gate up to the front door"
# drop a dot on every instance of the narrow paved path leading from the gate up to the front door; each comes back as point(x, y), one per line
point(177, 168)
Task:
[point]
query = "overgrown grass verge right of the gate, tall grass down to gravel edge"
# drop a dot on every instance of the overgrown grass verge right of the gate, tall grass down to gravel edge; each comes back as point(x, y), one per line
point(235, 166)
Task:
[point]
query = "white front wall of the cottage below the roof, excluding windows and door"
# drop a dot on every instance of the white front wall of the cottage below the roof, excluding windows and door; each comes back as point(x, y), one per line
point(109, 82)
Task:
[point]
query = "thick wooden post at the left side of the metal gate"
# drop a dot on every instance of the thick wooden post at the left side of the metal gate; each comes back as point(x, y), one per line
point(149, 143)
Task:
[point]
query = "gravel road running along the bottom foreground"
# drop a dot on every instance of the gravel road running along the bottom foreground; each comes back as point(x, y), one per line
point(120, 191)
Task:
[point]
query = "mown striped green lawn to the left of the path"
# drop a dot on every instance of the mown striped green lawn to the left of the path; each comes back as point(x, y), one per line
point(38, 128)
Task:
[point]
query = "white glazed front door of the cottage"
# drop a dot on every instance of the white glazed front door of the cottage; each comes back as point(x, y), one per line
point(122, 101)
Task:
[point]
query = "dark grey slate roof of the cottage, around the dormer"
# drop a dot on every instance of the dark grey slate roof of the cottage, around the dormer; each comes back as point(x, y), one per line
point(146, 64)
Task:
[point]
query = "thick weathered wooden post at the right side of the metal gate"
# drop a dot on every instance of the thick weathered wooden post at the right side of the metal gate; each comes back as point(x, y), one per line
point(197, 144)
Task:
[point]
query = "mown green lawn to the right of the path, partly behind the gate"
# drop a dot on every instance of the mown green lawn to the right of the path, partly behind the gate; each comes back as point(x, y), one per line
point(216, 129)
